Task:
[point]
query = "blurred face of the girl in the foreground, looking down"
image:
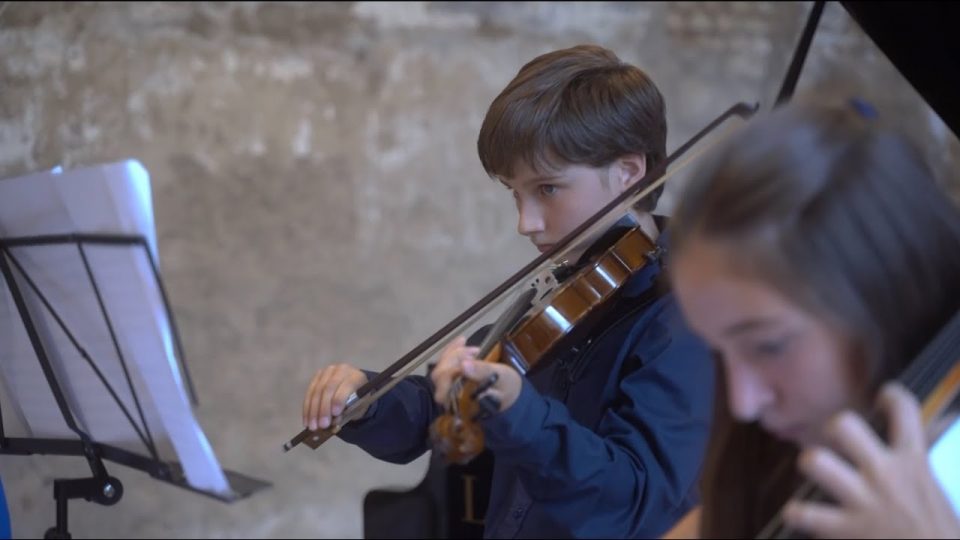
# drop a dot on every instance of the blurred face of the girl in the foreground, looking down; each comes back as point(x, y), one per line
point(785, 367)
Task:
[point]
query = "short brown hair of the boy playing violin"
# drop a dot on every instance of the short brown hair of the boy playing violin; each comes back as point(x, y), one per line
point(580, 105)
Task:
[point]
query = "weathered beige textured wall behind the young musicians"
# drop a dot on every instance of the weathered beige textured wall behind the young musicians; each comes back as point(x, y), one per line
point(318, 197)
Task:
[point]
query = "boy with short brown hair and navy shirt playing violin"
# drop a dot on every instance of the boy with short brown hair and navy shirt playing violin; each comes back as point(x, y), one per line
point(607, 440)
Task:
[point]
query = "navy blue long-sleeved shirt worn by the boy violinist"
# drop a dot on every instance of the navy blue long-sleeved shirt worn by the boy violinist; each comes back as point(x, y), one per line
point(607, 441)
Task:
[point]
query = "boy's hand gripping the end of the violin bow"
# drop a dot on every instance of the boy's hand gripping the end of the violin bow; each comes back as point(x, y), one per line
point(328, 393)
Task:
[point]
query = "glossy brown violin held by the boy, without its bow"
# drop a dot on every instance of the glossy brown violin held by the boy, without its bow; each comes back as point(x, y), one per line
point(526, 344)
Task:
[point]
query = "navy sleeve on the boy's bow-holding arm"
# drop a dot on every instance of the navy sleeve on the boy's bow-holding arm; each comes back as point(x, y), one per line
point(396, 427)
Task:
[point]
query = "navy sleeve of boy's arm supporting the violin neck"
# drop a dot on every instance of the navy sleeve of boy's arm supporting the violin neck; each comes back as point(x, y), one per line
point(634, 476)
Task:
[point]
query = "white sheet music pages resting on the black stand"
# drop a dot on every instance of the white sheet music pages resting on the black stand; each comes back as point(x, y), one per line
point(106, 199)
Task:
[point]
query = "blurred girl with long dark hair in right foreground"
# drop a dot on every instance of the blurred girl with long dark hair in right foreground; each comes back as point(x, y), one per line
point(817, 256)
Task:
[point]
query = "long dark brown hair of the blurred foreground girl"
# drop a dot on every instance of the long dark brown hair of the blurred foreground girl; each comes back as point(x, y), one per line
point(843, 217)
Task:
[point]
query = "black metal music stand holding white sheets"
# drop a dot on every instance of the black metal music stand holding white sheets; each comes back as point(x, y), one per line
point(100, 488)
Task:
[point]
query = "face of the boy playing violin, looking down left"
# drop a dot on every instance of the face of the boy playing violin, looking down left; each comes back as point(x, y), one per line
point(551, 204)
